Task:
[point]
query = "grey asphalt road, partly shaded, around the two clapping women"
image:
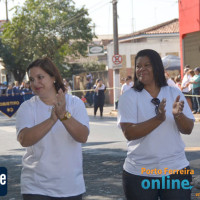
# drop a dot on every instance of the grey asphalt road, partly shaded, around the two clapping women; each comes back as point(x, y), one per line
point(103, 154)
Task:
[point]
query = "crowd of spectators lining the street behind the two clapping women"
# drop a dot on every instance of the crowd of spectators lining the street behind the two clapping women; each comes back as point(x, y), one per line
point(189, 85)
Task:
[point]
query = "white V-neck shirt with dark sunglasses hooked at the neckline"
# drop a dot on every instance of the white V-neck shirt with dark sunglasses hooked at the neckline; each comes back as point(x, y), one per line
point(163, 147)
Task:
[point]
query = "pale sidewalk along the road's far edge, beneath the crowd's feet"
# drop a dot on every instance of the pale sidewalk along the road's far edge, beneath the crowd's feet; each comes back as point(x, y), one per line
point(109, 111)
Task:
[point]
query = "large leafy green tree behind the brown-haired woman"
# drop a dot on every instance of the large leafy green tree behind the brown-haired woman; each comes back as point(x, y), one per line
point(53, 28)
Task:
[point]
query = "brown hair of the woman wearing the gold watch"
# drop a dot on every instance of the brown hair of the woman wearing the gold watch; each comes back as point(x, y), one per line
point(49, 67)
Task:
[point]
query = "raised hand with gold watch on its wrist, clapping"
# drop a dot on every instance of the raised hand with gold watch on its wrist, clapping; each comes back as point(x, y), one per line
point(60, 104)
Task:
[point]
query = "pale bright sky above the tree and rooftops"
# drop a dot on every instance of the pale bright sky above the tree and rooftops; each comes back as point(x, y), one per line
point(133, 15)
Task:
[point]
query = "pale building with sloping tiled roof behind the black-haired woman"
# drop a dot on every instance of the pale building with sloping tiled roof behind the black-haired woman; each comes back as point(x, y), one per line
point(164, 38)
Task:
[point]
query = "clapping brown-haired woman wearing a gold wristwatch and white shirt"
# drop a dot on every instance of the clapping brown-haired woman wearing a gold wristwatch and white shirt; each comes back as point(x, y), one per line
point(51, 125)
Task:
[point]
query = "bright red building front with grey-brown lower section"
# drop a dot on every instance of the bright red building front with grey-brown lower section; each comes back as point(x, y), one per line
point(189, 22)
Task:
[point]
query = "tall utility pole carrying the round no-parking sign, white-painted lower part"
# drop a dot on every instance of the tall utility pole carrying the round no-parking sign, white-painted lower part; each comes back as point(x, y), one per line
point(116, 82)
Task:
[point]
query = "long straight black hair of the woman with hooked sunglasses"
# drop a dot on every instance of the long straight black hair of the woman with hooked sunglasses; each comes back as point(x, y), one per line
point(158, 69)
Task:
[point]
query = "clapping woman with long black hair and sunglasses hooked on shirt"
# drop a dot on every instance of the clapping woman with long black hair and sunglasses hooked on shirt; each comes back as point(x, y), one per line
point(152, 116)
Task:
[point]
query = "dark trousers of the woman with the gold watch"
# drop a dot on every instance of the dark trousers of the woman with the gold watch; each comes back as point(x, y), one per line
point(42, 197)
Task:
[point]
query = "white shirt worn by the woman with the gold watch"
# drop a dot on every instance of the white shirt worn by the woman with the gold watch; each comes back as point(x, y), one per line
point(52, 166)
